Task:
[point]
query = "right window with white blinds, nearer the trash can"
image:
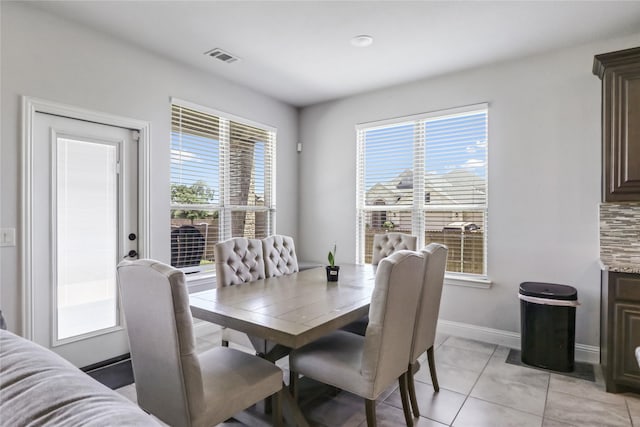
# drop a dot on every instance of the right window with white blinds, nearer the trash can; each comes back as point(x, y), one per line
point(426, 175)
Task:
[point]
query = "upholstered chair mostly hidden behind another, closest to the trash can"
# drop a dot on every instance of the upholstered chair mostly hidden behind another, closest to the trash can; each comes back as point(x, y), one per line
point(424, 333)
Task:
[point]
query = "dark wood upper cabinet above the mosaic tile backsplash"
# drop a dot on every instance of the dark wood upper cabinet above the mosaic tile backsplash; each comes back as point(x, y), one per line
point(620, 75)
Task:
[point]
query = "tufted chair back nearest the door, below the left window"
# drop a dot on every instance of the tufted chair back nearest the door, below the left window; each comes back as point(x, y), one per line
point(239, 260)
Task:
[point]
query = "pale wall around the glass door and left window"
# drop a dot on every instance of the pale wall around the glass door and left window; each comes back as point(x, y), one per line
point(56, 60)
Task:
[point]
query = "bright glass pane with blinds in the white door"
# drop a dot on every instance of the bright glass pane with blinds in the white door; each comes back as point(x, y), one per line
point(86, 236)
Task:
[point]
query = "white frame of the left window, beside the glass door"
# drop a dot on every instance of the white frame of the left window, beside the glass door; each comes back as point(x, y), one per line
point(224, 207)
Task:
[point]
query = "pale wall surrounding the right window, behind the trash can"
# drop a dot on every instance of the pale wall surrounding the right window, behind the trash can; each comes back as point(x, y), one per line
point(544, 177)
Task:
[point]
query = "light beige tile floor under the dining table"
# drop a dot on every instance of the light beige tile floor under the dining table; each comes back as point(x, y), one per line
point(477, 388)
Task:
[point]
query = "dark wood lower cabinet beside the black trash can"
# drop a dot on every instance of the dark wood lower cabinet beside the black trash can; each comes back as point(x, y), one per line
point(620, 331)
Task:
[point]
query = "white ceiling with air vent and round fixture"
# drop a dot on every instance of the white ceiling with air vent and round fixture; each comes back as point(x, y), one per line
point(300, 52)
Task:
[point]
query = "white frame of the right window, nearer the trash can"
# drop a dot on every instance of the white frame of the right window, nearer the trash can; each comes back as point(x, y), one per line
point(419, 207)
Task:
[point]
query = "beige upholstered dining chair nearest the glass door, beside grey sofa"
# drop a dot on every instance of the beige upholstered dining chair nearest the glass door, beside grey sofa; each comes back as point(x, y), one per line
point(173, 382)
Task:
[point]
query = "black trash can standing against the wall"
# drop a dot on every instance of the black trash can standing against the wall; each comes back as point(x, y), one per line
point(548, 325)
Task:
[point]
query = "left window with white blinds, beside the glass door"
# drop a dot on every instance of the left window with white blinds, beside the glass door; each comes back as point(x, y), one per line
point(222, 175)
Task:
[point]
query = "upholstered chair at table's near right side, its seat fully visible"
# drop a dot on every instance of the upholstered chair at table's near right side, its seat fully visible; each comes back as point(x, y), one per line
point(368, 365)
